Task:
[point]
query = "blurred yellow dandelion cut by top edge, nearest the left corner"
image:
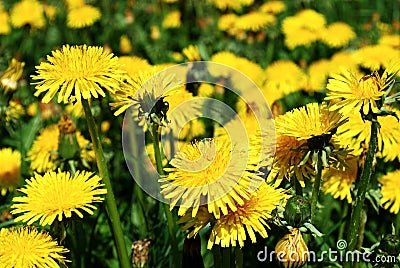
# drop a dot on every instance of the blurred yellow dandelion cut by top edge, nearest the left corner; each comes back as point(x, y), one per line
point(27, 12)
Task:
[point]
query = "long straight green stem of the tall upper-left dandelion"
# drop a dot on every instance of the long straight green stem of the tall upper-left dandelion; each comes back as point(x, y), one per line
point(111, 206)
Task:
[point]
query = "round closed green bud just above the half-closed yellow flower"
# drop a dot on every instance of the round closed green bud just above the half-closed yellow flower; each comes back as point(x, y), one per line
point(297, 211)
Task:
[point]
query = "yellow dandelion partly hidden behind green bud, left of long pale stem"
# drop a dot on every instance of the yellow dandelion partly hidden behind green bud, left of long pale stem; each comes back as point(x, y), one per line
point(44, 152)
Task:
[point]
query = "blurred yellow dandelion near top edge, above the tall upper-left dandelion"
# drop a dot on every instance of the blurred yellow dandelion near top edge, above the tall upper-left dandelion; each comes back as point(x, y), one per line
point(83, 16)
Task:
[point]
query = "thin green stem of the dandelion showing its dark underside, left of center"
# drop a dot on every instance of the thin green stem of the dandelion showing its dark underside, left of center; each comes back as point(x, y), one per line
point(170, 220)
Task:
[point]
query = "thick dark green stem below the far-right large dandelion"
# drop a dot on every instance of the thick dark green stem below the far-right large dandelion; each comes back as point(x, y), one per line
point(362, 187)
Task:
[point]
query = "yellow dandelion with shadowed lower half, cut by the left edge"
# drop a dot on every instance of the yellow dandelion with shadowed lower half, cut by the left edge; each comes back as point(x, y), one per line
point(10, 170)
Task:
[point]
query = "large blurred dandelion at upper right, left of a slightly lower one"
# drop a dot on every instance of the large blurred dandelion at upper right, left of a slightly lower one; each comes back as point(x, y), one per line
point(303, 29)
